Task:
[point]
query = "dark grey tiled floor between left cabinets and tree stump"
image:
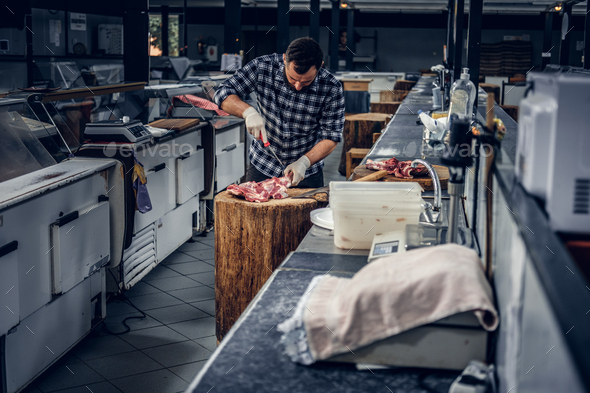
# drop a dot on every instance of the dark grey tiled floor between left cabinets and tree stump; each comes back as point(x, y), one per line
point(164, 351)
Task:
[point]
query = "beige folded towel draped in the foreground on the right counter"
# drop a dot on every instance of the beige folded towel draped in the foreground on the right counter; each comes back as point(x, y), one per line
point(395, 294)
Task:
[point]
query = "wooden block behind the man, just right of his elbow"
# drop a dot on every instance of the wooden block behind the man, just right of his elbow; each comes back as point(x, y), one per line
point(358, 132)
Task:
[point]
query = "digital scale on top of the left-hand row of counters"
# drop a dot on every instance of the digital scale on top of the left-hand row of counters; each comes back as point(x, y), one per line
point(117, 131)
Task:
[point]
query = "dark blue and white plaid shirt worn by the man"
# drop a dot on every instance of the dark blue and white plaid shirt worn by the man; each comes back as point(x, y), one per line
point(294, 121)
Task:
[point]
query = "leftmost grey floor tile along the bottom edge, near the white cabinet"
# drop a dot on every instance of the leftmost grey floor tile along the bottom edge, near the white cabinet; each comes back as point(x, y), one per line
point(64, 377)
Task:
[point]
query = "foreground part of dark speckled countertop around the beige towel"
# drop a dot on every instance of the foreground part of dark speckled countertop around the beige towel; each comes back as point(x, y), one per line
point(251, 359)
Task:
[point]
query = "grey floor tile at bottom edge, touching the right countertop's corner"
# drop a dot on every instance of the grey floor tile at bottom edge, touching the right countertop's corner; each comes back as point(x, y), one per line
point(161, 381)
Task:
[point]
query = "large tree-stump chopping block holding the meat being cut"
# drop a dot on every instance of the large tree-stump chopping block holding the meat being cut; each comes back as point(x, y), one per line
point(251, 241)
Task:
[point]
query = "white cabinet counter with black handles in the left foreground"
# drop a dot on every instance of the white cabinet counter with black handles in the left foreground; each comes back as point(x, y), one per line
point(54, 246)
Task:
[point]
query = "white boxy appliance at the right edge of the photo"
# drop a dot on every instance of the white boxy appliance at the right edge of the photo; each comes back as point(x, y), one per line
point(553, 141)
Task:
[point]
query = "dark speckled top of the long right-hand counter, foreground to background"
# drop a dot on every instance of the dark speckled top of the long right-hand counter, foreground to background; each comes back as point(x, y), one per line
point(250, 355)
